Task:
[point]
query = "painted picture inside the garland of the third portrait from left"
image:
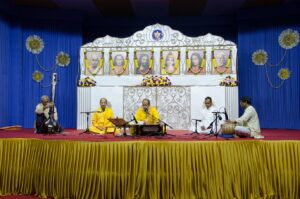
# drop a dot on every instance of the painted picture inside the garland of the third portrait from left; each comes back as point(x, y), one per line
point(143, 58)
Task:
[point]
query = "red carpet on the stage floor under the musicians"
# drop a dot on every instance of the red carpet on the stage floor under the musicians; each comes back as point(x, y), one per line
point(173, 135)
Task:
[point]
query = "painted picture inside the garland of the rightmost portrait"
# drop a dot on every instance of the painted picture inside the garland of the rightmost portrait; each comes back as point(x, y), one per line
point(221, 57)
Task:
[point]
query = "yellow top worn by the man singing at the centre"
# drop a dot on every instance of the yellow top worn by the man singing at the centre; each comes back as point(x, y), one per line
point(151, 118)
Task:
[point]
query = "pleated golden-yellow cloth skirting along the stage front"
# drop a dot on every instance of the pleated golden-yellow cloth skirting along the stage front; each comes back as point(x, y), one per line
point(163, 169)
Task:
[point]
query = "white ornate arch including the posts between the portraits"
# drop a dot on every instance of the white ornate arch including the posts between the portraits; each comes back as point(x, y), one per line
point(171, 39)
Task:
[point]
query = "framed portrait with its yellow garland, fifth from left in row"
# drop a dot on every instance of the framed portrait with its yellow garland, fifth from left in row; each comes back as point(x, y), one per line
point(196, 62)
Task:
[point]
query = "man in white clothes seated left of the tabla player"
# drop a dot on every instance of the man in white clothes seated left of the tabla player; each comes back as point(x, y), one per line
point(206, 116)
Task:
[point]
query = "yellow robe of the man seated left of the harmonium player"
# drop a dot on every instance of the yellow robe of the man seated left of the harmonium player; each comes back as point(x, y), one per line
point(101, 120)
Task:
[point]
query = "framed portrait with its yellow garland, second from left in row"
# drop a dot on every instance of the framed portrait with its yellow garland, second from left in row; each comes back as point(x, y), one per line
point(118, 63)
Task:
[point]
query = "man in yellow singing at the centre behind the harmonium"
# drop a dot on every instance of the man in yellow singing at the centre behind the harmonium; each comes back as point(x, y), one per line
point(147, 114)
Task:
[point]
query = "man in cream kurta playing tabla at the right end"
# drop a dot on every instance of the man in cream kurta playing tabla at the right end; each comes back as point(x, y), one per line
point(248, 124)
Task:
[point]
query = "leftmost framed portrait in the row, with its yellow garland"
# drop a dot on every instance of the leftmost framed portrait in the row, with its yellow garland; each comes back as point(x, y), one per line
point(93, 61)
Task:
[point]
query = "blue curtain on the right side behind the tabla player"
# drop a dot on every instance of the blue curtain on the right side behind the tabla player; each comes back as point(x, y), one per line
point(277, 108)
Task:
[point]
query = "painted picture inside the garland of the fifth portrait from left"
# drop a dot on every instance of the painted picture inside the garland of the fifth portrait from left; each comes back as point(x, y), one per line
point(196, 57)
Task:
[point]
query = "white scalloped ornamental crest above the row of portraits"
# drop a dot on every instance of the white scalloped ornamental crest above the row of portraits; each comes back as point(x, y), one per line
point(171, 38)
